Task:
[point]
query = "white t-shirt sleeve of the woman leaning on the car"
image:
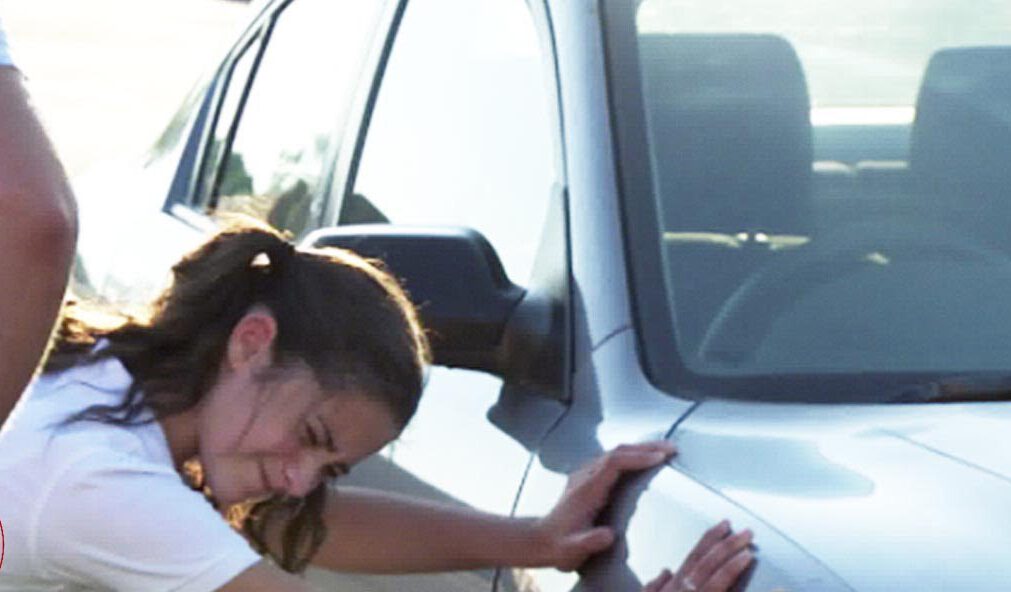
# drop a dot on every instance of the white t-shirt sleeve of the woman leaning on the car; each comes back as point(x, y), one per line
point(116, 524)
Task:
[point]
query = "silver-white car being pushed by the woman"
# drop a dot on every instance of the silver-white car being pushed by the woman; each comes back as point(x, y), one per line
point(774, 232)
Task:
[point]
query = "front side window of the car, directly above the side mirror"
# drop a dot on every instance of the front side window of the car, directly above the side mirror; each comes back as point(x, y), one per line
point(463, 132)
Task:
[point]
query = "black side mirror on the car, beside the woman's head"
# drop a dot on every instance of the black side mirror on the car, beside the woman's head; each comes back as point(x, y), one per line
point(476, 317)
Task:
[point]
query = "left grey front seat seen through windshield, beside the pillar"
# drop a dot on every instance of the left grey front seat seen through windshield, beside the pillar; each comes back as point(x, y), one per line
point(730, 131)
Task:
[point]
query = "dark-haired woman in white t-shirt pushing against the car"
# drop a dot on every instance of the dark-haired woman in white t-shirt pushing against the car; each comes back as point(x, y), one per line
point(260, 373)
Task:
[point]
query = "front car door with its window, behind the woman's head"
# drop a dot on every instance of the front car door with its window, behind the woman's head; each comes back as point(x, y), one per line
point(465, 133)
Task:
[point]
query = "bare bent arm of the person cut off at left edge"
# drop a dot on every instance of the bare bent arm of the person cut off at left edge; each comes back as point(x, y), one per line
point(38, 234)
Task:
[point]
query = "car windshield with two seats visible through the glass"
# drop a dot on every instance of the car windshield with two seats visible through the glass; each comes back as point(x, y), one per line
point(831, 184)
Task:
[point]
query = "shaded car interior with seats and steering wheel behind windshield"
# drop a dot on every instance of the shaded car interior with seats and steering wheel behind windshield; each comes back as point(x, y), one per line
point(839, 245)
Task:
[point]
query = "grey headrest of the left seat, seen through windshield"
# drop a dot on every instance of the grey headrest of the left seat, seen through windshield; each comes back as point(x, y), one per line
point(730, 127)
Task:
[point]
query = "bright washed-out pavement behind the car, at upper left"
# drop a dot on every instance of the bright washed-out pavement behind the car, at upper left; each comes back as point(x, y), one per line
point(108, 75)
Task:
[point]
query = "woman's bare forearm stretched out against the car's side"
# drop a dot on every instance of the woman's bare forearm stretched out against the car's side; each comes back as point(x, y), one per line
point(378, 533)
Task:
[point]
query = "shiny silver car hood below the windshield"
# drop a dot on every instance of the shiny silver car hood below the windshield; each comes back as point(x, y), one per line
point(927, 480)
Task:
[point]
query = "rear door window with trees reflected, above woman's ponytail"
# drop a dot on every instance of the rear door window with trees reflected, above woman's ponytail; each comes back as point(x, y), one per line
point(292, 121)
